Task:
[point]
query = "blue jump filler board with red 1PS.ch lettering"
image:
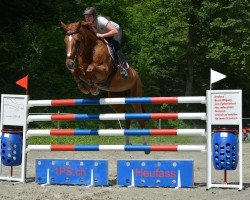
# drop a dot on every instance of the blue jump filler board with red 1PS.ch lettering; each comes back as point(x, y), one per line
point(72, 172)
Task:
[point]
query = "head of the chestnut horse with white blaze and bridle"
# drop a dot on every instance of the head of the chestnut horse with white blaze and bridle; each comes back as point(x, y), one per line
point(73, 41)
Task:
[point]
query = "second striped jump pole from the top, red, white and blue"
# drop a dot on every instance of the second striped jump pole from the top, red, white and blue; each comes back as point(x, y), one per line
point(116, 116)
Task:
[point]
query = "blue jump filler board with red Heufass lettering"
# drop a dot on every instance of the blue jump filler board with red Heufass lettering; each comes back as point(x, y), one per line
point(155, 173)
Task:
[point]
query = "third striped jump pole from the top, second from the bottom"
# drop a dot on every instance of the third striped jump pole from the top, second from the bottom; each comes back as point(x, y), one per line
point(116, 132)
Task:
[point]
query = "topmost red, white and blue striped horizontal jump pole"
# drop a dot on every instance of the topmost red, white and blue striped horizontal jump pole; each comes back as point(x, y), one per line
point(112, 101)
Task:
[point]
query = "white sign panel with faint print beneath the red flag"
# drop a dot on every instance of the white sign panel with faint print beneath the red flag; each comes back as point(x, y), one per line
point(14, 110)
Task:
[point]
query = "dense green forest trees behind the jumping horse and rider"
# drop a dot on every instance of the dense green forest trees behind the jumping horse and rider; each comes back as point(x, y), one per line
point(171, 43)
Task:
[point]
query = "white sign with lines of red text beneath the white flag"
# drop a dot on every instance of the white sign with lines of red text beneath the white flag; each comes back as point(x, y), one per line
point(226, 107)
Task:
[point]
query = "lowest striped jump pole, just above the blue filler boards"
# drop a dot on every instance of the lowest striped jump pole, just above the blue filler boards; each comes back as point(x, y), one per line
point(56, 147)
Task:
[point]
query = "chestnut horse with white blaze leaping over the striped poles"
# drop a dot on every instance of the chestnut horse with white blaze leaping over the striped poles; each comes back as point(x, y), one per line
point(96, 69)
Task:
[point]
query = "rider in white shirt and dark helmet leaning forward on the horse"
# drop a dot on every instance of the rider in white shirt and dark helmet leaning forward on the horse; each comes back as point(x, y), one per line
point(111, 32)
